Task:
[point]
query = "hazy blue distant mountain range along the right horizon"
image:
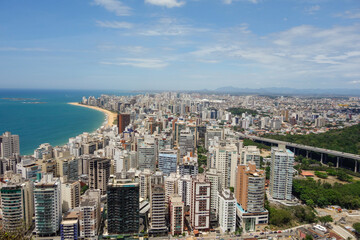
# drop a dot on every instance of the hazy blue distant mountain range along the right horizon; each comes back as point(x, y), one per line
point(289, 91)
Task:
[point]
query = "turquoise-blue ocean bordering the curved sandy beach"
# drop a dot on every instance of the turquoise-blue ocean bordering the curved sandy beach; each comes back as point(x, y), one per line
point(50, 121)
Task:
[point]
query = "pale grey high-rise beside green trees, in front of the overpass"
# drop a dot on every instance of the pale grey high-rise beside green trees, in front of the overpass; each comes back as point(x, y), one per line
point(281, 173)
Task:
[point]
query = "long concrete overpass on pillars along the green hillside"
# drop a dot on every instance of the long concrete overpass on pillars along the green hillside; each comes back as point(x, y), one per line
point(322, 151)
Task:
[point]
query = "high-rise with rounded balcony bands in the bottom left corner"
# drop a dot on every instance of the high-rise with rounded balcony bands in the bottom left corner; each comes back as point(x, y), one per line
point(17, 204)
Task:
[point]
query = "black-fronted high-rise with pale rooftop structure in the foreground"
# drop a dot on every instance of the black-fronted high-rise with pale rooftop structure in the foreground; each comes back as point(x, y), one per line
point(123, 204)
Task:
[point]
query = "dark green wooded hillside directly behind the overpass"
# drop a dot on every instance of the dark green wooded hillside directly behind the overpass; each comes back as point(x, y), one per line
point(343, 140)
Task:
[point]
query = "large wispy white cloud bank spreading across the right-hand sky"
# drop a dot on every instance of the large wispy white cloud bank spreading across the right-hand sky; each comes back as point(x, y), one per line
point(299, 54)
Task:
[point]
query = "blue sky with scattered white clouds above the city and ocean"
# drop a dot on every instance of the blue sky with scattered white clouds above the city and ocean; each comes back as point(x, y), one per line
point(179, 44)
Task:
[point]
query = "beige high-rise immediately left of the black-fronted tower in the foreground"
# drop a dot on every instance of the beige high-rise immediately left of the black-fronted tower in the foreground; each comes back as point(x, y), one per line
point(90, 214)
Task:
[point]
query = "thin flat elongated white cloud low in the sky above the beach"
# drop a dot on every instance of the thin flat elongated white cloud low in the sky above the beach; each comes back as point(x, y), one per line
point(137, 62)
